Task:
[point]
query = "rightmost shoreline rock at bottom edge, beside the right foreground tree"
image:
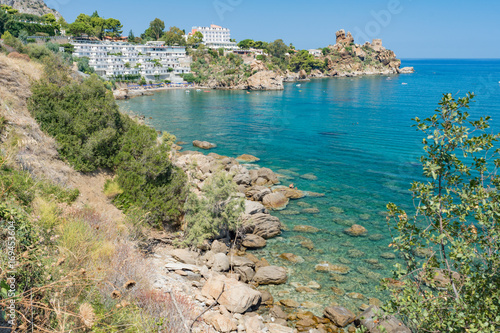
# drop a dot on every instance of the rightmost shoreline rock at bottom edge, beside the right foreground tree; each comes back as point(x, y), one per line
point(376, 322)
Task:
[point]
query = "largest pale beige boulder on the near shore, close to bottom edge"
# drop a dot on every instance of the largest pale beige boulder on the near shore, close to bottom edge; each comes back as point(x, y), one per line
point(237, 297)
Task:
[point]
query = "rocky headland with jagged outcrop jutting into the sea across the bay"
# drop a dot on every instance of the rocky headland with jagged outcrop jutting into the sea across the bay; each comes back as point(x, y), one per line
point(343, 59)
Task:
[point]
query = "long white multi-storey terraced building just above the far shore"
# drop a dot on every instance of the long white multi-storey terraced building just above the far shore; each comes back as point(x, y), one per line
point(154, 61)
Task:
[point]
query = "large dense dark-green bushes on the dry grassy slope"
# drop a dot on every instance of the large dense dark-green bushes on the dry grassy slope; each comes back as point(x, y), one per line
point(92, 134)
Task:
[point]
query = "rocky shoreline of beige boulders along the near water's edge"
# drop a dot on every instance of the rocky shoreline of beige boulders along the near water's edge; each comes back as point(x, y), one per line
point(226, 279)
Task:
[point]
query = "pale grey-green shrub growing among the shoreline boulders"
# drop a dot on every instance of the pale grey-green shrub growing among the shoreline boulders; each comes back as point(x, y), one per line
point(216, 212)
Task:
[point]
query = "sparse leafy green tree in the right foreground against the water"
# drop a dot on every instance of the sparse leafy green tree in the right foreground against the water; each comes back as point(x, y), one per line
point(451, 244)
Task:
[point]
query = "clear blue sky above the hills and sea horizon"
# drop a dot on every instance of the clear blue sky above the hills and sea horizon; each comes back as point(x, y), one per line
point(412, 28)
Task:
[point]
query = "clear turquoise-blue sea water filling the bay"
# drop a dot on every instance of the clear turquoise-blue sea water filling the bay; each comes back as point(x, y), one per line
point(353, 134)
